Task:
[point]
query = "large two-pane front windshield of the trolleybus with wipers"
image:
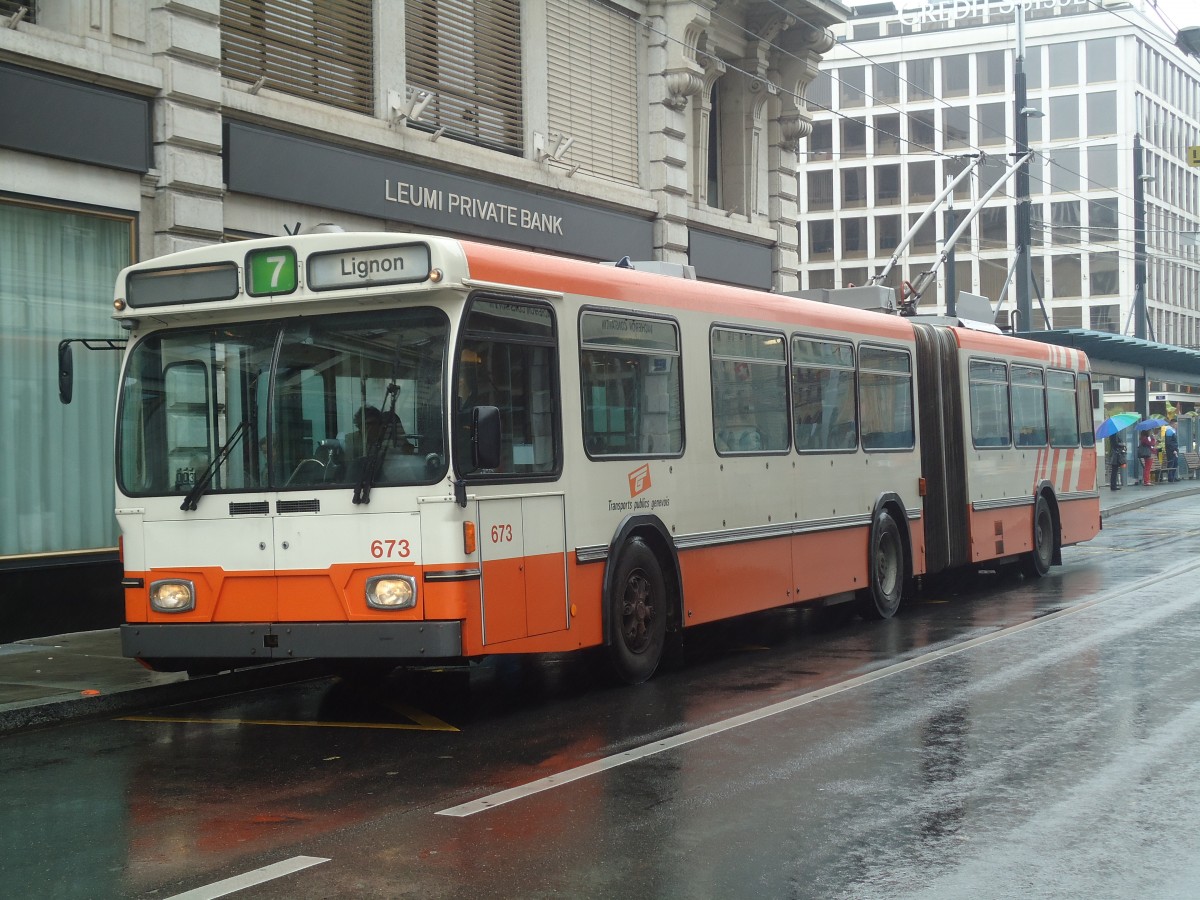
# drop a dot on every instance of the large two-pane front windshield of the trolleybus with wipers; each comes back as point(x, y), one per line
point(286, 406)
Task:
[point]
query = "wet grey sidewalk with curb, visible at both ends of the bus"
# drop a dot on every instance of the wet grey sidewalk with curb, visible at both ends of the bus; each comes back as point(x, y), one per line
point(47, 681)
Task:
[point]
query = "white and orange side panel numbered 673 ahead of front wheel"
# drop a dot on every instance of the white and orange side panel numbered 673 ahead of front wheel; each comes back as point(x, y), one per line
point(523, 548)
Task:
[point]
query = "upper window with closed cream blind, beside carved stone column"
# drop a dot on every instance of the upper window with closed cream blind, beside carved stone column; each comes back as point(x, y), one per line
point(593, 87)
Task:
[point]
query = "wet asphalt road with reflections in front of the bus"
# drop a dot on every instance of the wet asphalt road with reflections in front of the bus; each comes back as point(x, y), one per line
point(1003, 739)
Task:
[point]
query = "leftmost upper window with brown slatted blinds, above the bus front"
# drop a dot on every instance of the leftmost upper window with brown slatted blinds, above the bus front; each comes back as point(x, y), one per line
point(320, 52)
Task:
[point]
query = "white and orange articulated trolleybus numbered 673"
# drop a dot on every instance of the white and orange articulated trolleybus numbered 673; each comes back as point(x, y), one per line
point(391, 447)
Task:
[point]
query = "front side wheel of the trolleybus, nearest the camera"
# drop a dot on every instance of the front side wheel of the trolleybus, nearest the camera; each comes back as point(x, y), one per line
point(638, 613)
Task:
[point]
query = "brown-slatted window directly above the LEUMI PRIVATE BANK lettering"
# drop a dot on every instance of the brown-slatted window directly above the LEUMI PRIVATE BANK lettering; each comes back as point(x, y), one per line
point(467, 55)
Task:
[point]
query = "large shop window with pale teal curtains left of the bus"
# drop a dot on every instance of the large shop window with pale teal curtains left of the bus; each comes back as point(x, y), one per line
point(57, 273)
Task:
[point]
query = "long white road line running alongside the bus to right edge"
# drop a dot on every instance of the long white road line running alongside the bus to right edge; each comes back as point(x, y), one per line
point(611, 763)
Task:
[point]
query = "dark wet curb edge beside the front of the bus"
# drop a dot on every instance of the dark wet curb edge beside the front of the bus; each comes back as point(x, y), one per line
point(73, 709)
